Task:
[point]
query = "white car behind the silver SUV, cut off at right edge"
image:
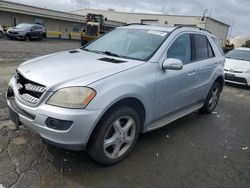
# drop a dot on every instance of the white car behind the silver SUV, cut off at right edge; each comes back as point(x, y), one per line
point(237, 66)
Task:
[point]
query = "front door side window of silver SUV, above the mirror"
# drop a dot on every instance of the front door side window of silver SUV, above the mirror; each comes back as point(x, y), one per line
point(181, 49)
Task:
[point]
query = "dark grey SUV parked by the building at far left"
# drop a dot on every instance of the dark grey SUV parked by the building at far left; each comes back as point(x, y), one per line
point(26, 31)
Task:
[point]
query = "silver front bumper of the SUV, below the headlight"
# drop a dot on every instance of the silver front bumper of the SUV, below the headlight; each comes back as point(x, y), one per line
point(75, 138)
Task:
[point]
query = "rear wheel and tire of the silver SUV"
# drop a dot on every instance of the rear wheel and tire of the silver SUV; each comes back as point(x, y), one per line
point(212, 99)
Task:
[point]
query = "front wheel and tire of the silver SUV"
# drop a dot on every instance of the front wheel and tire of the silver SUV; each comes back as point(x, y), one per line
point(115, 136)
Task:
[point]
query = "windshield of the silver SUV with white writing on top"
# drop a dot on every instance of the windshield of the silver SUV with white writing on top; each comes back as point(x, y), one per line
point(138, 44)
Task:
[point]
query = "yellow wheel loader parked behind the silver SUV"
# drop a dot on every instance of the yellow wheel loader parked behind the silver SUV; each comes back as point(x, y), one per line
point(95, 26)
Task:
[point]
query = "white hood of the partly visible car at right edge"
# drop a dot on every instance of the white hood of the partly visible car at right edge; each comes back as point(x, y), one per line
point(237, 65)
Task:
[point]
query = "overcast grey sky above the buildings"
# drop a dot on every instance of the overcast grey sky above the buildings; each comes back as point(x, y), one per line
point(233, 12)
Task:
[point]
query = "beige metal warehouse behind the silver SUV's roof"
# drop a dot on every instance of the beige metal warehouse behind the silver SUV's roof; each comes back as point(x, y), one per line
point(216, 27)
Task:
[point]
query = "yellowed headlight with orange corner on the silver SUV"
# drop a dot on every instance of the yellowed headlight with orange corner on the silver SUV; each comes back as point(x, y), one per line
point(72, 97)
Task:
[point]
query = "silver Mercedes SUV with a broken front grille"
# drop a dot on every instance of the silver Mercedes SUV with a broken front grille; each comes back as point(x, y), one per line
point(132, 80)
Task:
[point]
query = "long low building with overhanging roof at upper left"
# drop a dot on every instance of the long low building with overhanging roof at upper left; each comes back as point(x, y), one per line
point(56, 22)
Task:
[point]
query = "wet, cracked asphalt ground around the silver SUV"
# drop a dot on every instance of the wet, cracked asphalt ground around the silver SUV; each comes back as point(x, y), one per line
point(195, 151)
